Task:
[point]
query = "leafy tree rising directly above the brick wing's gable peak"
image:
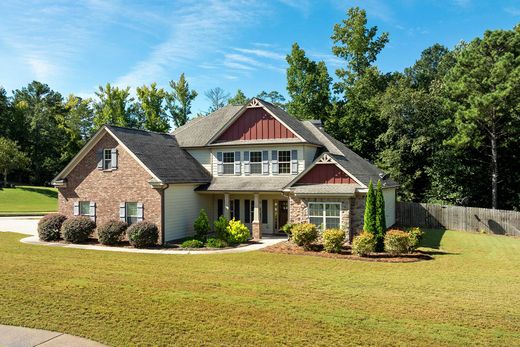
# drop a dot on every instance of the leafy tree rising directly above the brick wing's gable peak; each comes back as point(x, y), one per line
point(114, 107)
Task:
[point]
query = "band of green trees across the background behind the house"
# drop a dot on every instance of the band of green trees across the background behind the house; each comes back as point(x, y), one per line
point(446, 128)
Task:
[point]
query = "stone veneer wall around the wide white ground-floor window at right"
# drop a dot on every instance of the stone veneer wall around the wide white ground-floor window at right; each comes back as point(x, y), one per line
point(352, 209)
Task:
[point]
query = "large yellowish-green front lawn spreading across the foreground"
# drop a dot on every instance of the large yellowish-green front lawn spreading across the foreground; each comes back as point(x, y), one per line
point(468, 295)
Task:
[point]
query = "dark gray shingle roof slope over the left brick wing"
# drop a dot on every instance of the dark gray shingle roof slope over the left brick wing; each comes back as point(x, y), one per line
point(162, 155)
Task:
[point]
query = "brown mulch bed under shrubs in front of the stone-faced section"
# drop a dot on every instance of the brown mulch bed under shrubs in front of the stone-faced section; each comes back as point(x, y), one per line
point(346, 253)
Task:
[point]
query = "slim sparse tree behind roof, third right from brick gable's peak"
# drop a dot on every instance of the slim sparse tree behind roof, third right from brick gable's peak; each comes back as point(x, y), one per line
point(179, 101)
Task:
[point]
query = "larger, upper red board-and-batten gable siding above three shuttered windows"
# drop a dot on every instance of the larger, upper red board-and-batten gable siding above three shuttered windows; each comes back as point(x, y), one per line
point(256, 124)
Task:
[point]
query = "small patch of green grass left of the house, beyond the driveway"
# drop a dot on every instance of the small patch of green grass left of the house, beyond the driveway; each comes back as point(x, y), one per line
point(26, 200)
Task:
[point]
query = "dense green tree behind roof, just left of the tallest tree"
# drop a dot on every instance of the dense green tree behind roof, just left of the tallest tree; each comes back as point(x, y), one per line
point(308, 85)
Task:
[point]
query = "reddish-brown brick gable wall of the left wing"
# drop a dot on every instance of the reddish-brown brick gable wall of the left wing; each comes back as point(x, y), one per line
point(128, 183)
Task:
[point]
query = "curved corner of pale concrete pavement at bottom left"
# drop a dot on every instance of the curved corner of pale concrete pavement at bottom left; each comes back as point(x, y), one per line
point(11, 336)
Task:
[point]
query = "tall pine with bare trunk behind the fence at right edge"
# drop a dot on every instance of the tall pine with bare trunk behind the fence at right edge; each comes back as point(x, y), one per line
point(484, 84)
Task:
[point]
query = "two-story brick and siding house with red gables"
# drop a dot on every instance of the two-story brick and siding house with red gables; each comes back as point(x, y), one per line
point(255, 163)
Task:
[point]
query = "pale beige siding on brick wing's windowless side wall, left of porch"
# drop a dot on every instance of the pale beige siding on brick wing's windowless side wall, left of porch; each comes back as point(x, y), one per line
point(181, 206)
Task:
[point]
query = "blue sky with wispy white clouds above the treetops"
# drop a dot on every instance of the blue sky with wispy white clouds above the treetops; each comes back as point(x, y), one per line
point(74, 46)
